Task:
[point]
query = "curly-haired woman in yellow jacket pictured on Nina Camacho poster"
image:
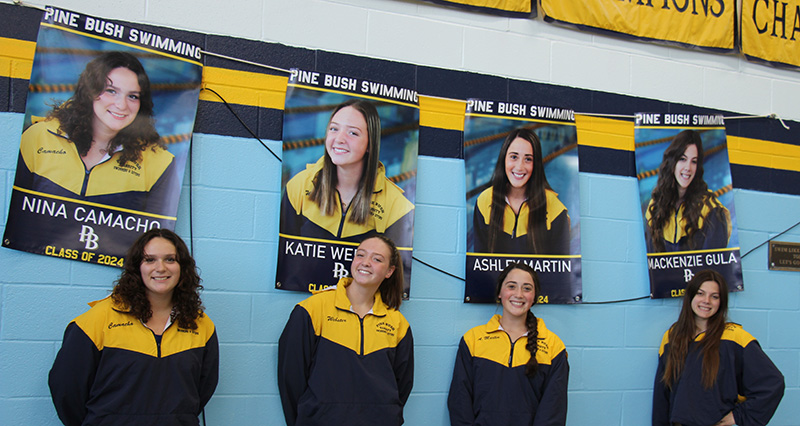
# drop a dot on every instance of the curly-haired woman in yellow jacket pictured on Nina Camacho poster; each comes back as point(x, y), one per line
point(101, 145)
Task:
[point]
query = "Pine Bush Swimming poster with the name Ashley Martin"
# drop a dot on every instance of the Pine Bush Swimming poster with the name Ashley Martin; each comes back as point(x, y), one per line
point(523, 198)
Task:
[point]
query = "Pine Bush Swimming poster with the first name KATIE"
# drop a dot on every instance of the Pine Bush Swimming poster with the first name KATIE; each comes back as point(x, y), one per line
point(349, 172)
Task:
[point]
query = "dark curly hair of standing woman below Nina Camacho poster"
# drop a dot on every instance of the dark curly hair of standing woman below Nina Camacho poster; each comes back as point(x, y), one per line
point(130, 289)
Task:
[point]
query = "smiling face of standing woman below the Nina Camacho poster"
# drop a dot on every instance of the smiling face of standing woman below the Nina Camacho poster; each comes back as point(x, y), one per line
point(160, 268)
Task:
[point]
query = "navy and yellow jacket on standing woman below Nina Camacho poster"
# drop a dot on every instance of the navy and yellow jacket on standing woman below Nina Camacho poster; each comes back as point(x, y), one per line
point(111, 371)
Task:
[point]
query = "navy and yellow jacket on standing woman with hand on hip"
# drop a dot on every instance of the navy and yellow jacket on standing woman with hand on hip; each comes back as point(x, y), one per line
point(748, 384)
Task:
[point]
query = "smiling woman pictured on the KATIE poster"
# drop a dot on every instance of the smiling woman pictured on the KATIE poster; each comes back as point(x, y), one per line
point(345, 194)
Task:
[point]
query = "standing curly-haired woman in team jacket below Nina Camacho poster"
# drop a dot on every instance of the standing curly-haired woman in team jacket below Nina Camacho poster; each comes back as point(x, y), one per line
point(147, 354)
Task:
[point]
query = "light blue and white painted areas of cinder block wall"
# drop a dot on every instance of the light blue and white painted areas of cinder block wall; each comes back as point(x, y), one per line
point(236, 192)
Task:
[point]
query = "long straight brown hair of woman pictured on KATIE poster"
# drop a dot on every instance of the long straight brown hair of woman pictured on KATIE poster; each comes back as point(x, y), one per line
point(324, 191)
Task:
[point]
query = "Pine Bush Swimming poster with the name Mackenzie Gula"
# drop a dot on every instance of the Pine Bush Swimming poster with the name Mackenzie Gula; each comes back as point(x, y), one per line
point(687, 204)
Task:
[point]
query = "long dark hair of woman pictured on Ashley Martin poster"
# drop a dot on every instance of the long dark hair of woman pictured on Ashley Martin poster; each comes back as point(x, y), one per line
point(534, 192)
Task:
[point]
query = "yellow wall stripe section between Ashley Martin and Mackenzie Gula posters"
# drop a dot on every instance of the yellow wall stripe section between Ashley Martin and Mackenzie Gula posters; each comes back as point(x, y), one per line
point(604, 132)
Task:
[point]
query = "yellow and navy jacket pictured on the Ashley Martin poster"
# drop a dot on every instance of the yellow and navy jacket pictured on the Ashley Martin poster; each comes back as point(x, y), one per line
point(514, 238)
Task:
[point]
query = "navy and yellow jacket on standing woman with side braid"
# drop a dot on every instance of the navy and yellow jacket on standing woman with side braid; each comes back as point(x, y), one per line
point(490, 387)
